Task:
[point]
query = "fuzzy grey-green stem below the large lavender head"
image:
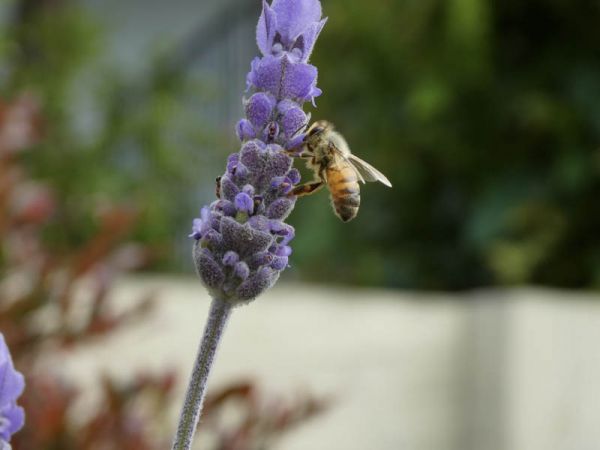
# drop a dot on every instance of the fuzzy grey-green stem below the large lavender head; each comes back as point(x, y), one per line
point(194, 397)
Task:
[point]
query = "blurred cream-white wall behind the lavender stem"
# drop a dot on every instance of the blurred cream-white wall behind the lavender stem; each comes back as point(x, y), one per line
point(496, 370)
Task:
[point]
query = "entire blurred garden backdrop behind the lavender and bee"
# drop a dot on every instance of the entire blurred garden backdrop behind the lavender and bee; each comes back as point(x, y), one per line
point(115, 119)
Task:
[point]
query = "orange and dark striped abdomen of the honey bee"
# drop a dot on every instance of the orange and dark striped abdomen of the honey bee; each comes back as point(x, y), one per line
point(345, 191)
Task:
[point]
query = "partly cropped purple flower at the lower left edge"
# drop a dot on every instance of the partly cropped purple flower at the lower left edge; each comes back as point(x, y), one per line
point(12, 417)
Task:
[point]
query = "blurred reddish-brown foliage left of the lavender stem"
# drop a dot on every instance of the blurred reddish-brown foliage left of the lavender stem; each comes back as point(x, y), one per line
point(37, 282)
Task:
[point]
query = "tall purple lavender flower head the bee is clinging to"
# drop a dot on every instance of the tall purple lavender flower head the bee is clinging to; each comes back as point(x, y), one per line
point(242, 241)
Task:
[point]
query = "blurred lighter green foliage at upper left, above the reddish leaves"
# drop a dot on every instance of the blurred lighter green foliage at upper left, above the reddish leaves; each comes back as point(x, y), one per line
point(107, 136)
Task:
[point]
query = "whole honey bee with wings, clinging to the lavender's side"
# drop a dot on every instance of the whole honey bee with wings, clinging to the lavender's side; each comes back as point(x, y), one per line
point(327, 153)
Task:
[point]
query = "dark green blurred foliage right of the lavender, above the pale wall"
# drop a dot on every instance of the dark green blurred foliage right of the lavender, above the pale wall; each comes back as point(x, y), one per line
point(486, 118)
